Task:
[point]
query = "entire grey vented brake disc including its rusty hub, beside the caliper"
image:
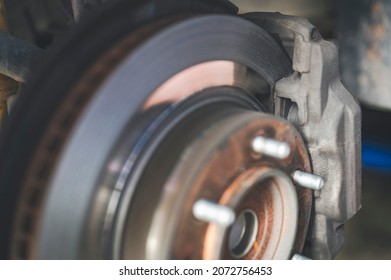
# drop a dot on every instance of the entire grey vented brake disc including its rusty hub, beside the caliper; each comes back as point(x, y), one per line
point(97, 157)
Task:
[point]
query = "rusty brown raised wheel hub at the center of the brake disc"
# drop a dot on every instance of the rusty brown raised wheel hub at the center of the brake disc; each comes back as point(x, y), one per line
point(220, 168)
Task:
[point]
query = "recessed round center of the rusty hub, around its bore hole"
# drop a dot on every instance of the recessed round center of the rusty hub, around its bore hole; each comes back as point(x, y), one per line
point(265, 228)
